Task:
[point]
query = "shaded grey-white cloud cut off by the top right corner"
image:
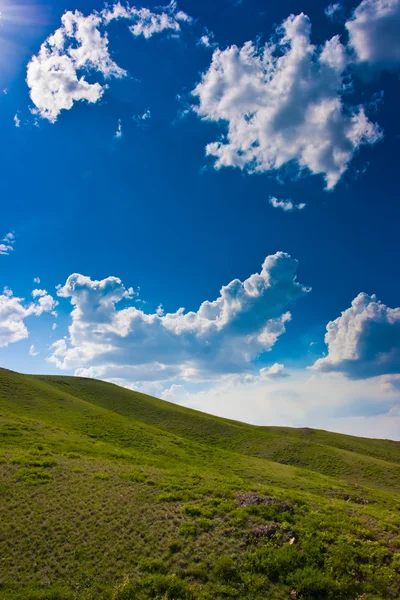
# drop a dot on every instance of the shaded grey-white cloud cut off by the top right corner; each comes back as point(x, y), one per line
point(374, 33)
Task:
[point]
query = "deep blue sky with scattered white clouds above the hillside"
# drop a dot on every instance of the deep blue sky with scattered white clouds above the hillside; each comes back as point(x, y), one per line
point(172, 150)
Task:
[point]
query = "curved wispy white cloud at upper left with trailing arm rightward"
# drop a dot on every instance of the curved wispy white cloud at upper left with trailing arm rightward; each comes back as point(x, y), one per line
point(56, 76)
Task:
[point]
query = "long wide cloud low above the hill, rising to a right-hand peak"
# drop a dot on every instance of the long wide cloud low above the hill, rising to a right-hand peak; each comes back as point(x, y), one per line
point(223, 336)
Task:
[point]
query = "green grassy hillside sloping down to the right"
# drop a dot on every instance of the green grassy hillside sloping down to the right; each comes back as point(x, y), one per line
point(109, 494)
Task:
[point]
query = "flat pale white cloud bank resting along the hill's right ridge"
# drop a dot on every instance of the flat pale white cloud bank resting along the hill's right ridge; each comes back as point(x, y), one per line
point(323, 401)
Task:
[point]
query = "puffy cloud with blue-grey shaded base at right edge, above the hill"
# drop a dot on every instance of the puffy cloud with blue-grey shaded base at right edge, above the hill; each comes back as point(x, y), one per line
point(364, 341)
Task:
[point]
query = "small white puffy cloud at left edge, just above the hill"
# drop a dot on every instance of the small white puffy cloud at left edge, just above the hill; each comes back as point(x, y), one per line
point(14, 311)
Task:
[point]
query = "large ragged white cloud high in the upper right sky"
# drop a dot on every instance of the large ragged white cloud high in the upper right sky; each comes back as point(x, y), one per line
point(283, 104)
